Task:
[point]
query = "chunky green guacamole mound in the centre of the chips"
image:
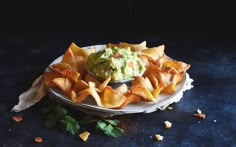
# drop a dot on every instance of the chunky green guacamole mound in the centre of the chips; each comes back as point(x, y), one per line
point(119, 63)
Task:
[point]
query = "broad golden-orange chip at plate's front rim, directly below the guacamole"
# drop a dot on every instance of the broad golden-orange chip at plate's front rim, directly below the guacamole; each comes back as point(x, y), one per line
point(112, 98)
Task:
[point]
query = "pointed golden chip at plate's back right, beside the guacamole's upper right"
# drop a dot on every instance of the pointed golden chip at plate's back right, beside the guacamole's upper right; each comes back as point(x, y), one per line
point(155, 52)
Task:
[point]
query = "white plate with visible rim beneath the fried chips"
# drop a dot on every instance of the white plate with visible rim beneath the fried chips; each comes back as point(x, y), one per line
point(89, 105)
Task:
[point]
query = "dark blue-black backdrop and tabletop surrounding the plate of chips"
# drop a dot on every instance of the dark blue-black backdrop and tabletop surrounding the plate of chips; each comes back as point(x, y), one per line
point(33, 34)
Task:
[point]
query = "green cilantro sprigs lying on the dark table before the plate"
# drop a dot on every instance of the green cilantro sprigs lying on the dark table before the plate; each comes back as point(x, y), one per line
point(56, 116)
